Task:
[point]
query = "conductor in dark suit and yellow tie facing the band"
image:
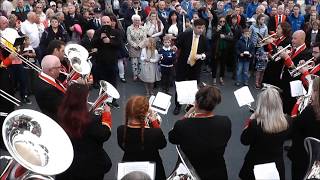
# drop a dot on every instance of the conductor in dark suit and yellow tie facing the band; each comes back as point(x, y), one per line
point(192, 49)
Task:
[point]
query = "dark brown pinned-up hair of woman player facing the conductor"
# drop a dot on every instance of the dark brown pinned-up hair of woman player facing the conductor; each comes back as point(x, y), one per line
point(208, 97)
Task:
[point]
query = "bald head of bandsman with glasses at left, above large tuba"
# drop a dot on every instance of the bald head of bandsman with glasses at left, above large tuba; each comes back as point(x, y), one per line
point(50, 65)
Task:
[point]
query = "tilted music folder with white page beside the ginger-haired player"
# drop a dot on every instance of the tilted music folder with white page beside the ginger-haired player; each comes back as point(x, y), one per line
point(160, 103)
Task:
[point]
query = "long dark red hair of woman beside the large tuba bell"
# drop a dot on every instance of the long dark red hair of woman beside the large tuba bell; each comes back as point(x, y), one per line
point(73, 113)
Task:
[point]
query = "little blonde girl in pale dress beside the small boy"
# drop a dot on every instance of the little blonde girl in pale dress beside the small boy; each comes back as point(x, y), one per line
point(149, 66)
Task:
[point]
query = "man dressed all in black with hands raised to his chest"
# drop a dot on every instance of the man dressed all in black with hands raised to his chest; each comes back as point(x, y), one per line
point(107, 41)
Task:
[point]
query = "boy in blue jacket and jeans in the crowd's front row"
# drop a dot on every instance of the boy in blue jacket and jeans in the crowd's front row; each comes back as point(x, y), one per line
point(244, 50)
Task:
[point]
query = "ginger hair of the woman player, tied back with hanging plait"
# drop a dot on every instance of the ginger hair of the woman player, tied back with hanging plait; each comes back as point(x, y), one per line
point(136, 109)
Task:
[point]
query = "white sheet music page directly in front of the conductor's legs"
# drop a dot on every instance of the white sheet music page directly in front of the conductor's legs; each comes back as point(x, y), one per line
point(186, 91)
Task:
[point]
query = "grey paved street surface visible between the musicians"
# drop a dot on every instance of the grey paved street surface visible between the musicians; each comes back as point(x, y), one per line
point(235, 151)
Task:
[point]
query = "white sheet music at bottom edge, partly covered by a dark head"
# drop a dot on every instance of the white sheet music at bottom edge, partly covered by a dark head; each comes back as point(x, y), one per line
point(143, 166)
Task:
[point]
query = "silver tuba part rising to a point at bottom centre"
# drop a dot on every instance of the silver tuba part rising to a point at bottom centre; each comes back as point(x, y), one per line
point(183, 170)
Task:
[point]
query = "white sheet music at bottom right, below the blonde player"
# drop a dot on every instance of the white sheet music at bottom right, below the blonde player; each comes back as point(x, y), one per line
point(266, 171)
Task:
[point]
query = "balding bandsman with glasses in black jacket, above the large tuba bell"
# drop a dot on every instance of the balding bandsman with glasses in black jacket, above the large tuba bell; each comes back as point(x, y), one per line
point(49, 92)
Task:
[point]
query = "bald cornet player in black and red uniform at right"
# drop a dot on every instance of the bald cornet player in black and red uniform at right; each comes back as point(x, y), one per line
point(299, 52)
